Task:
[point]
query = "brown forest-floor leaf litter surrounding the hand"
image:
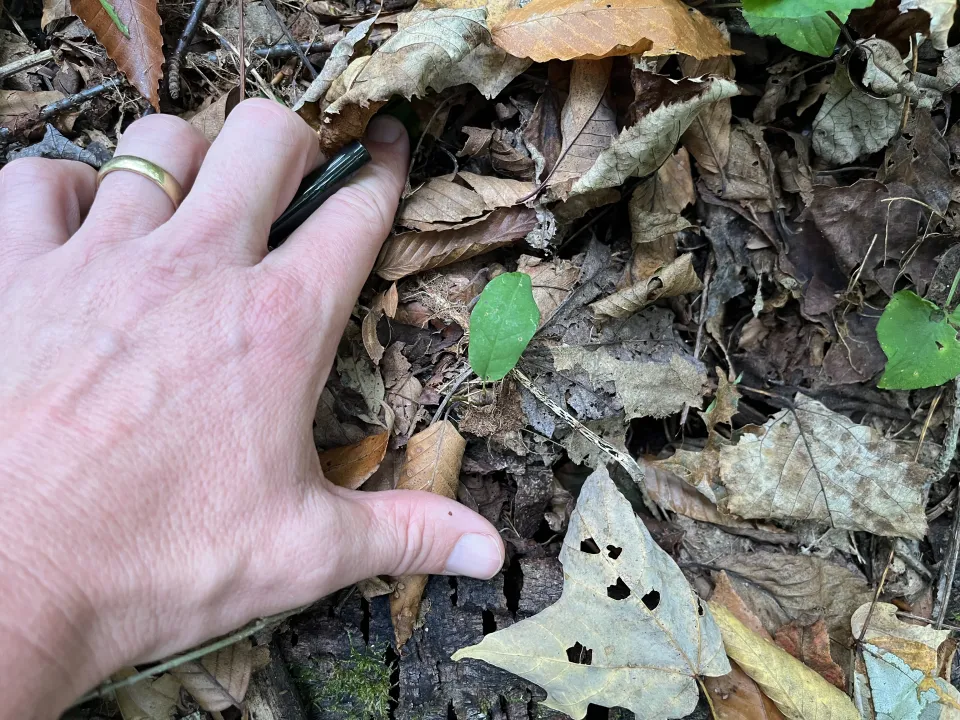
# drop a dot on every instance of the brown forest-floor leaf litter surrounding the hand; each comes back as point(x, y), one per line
point(671, 282)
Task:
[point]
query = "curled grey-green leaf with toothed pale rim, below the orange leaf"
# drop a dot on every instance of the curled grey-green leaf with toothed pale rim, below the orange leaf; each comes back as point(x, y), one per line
point(644, 146)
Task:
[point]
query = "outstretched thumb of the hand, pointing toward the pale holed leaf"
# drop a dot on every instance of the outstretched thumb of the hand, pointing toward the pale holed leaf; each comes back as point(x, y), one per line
point(407, 532)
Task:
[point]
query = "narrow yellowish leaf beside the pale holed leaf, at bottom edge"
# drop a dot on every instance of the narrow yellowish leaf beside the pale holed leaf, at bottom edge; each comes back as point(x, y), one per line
point(799, 692)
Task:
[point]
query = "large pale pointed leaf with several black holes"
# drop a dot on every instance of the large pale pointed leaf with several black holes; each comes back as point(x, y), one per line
point(627, 631)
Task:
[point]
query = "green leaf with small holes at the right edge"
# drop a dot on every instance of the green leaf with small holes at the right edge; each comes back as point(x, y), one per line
point(920, 342)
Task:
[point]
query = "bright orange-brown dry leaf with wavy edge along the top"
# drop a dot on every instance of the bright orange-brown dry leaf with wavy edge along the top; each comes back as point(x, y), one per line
point(592, 29)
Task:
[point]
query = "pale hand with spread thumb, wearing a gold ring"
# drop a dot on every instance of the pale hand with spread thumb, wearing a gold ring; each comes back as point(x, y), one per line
point(159, 374)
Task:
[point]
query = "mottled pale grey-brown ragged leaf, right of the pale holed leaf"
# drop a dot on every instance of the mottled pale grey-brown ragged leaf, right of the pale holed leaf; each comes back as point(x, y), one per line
point(811, 463)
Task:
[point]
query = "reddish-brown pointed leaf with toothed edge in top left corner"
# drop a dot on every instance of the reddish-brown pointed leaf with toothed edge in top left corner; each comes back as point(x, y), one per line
point(139, 56)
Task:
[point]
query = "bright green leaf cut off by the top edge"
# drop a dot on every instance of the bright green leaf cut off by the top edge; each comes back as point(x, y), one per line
point(801, 24)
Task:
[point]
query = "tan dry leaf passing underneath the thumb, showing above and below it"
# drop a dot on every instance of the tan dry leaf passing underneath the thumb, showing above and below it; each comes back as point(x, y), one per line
point(432, 465)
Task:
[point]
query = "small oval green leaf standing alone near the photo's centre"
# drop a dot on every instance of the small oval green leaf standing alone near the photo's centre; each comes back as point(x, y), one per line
point(502, 325)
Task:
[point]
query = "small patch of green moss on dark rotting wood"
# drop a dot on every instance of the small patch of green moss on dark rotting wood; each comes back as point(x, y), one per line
point(357, 688)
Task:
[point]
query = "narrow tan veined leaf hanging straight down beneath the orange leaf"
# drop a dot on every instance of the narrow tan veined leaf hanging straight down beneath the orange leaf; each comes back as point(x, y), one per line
point(588, 123)
